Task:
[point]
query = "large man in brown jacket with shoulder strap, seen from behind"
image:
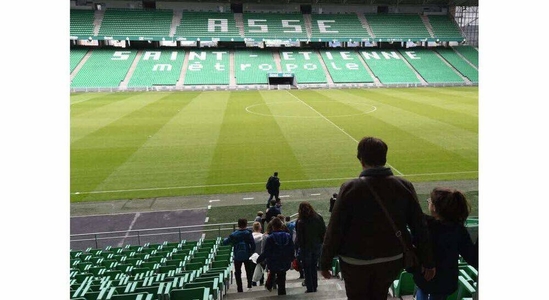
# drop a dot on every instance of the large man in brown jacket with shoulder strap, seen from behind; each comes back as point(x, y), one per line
point(360, 234)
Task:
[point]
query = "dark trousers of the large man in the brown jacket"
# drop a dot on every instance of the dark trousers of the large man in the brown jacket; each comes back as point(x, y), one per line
point(370, 282)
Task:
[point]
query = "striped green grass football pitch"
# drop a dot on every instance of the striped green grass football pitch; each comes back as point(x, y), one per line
point(155, 144)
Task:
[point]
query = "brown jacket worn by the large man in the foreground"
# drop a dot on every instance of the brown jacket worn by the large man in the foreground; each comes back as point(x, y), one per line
point(359, 229)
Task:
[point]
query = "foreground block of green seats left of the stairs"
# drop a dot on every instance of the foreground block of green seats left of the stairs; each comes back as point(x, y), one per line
point(152, 280)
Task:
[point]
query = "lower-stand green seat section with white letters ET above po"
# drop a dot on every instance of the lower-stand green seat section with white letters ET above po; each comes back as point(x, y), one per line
point(306, 66)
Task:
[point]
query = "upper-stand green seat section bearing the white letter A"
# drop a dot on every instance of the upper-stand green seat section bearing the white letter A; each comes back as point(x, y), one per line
point(208, 25)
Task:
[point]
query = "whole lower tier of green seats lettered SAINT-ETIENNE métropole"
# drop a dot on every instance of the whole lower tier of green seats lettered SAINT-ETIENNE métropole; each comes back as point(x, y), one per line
point(108, 68)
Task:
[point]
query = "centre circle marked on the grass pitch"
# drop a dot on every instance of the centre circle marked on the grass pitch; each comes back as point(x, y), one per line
point(263, 109)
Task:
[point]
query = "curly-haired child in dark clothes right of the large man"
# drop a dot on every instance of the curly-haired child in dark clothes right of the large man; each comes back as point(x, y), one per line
point(449, 210)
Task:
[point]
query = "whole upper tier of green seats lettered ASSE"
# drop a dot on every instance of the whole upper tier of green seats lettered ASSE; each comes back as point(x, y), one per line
point(118, 21)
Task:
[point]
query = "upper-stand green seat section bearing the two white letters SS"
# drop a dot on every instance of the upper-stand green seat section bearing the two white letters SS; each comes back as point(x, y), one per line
point(274, 26)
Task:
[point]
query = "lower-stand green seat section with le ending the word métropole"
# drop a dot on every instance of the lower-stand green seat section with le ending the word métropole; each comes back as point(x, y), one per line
point(345, 67)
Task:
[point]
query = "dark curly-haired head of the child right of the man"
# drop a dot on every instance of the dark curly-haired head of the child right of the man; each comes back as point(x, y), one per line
point(449, 205)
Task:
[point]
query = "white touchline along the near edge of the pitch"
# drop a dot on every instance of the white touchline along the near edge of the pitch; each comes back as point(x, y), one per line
point(257, 183)
